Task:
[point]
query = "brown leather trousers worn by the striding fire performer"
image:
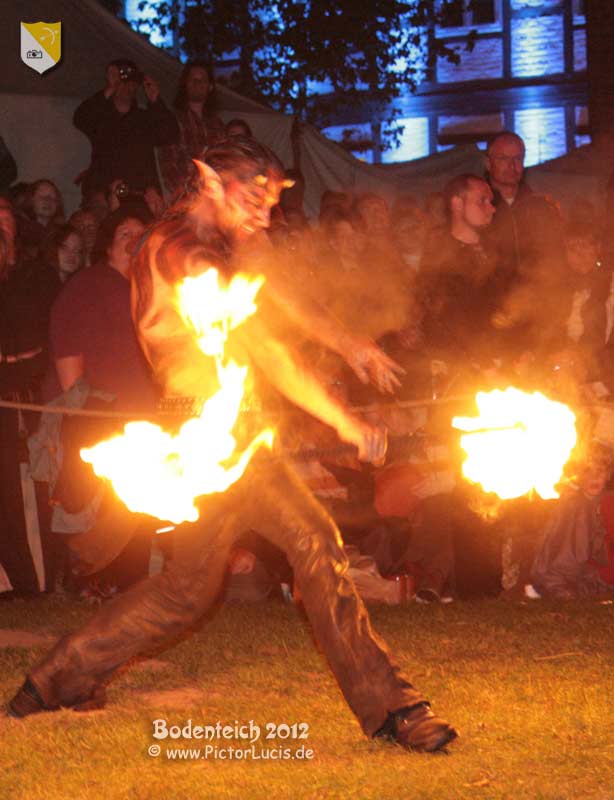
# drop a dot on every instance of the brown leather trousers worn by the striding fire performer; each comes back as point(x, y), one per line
point(272, 500)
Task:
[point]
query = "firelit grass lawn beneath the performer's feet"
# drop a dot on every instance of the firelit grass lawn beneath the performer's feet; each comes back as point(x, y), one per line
point(529, 686)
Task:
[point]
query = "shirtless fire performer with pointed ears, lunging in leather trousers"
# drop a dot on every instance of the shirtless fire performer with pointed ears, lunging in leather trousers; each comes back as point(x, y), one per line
point(242, 182)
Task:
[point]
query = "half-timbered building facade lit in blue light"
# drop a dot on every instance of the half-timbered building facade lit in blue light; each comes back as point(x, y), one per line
point(526, 72)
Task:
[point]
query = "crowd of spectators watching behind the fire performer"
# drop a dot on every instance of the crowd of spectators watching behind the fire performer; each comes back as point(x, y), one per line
point(485, 284)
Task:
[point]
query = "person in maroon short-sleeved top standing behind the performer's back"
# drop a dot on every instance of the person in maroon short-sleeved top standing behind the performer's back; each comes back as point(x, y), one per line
point(92, 337)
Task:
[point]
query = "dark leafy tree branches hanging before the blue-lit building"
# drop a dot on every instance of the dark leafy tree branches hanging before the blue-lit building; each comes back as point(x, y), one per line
point(311, 57)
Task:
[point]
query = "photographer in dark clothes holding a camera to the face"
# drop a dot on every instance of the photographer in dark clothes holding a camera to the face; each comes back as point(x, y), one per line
point(123, 136)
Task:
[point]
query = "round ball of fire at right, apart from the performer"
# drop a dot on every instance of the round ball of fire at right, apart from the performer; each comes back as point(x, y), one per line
point(519, 442)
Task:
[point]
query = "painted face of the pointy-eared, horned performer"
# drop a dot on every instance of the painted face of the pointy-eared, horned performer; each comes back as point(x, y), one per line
point(247, 204)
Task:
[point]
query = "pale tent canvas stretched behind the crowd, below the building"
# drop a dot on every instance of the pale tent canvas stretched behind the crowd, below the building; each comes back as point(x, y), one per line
point(36, 122)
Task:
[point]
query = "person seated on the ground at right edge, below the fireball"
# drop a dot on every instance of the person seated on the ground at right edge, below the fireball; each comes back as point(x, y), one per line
point(572, 549)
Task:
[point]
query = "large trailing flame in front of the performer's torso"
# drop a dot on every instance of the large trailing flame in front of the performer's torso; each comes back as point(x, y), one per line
point(161, 474)
